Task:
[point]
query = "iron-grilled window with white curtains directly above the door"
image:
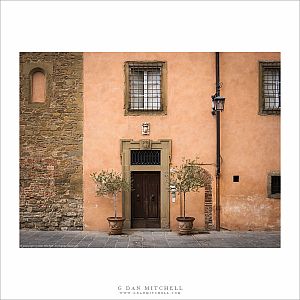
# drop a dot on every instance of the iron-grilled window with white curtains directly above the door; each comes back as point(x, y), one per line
point(145, 87)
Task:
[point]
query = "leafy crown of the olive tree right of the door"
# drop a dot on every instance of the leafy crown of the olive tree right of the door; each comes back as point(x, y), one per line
point(188, 177)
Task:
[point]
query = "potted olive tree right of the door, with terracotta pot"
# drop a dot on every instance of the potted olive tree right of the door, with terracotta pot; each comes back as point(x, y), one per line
point(188, 177)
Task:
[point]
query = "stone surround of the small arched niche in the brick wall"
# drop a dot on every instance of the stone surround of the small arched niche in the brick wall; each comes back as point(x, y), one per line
point(28, 69)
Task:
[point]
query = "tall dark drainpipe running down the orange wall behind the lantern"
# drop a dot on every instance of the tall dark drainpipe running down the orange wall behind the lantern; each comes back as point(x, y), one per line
point(218, 171)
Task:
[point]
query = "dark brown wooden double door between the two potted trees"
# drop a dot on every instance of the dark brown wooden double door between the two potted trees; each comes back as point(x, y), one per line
point(145, 200)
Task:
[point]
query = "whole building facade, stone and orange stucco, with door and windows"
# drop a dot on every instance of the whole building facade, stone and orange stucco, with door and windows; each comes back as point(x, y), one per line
point(140, 114)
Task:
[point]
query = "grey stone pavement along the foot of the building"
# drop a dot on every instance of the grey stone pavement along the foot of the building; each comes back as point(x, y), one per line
point(149, 239)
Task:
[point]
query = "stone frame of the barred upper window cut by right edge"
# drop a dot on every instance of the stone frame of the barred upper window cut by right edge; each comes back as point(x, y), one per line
point(262, 65)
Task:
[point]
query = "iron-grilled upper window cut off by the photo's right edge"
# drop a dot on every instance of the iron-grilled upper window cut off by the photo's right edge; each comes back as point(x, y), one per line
point(270, 101)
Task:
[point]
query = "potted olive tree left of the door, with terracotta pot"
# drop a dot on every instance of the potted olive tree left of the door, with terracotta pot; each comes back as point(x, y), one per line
point(109, 184)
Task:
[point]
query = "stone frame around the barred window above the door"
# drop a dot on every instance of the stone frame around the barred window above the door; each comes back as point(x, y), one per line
point(163, 110)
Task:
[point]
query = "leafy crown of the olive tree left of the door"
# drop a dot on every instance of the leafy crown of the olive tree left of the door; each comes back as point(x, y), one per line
point(109, 183)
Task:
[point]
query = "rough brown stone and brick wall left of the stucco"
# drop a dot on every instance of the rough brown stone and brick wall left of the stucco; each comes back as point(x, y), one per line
point(51, 134)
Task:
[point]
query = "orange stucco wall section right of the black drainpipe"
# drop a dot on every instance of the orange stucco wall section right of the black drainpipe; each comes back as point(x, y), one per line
point(250, 146)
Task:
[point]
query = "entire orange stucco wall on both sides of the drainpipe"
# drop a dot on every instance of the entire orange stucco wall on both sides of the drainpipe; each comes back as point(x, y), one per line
point(247, 138)
